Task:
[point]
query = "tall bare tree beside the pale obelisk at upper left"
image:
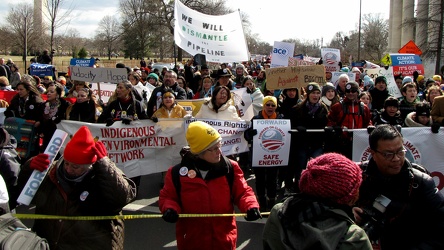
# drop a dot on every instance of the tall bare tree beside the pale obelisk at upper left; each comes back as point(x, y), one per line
point(57, 16)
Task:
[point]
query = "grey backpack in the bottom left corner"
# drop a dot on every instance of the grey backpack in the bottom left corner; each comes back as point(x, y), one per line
point(14, 235)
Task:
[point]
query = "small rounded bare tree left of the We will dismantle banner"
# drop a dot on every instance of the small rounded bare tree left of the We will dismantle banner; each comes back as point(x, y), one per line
point(108, 34)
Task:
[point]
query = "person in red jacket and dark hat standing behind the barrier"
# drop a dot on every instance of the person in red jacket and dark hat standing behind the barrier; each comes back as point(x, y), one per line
point(349, 113)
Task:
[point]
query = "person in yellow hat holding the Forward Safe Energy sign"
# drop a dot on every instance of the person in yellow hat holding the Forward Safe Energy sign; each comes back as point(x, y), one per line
point(266, 176)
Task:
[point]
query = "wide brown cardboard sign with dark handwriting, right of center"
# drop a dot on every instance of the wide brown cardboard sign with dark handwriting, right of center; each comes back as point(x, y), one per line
point(294, 77)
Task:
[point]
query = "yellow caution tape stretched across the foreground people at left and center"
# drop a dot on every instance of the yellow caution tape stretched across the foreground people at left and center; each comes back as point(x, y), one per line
point(124, 217)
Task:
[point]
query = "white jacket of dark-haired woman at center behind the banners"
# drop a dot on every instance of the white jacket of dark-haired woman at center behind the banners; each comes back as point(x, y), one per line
point(226, 112)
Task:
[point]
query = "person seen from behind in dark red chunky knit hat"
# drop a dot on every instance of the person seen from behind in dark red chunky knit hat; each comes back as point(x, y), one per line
point(319, 216)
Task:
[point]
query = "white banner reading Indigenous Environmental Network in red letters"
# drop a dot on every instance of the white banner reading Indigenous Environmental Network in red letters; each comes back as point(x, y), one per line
point(142, 148)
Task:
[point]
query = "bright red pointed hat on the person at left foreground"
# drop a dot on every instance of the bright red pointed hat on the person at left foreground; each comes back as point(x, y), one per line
point(80, 149)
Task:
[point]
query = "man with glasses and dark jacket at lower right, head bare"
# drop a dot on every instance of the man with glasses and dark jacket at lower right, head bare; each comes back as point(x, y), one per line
point(399, 204)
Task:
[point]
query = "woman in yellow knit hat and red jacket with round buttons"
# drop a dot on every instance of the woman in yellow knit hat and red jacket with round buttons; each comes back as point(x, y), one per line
point(205, 182)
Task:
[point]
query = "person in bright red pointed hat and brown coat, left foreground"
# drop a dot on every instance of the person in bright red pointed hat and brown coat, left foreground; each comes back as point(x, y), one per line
point(85, 182)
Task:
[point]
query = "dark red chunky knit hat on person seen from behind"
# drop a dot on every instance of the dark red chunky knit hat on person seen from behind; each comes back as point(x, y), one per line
point(332, 176)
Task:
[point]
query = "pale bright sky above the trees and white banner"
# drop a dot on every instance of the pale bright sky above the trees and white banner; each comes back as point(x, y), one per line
point(273, 20)
